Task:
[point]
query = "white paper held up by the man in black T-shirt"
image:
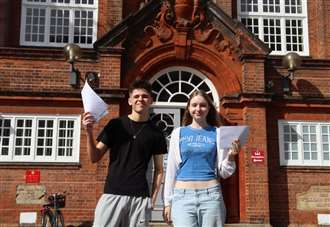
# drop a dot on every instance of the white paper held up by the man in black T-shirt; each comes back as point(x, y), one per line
point(93, 103)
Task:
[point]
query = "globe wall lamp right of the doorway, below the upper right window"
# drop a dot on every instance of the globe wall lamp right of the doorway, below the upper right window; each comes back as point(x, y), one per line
point(290, 61)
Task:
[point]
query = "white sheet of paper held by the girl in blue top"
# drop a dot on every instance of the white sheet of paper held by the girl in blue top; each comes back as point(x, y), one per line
point(228, 134)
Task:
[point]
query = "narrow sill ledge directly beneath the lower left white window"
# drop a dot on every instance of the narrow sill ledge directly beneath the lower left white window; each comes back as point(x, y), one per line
point(48, 165)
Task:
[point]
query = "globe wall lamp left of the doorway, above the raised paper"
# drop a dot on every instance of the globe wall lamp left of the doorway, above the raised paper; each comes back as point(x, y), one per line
point(72, 54)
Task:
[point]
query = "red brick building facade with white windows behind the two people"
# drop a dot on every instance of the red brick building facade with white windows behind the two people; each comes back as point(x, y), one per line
point(179, 46)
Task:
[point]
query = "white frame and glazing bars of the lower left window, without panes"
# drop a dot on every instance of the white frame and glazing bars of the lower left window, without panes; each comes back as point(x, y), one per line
point(32, 157)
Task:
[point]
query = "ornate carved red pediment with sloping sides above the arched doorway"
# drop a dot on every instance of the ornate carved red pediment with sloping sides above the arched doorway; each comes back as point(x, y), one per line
point(176, 29)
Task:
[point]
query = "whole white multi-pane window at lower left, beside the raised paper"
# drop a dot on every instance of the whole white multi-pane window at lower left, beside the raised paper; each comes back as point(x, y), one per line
point(25, 138)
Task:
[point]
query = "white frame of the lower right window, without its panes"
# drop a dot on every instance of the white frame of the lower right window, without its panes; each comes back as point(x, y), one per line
point(319, 148)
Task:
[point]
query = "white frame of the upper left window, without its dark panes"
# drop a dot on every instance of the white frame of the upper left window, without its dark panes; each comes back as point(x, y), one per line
point(48, 6)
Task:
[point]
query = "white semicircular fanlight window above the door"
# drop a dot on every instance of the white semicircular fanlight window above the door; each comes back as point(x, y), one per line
point(173, 86)
